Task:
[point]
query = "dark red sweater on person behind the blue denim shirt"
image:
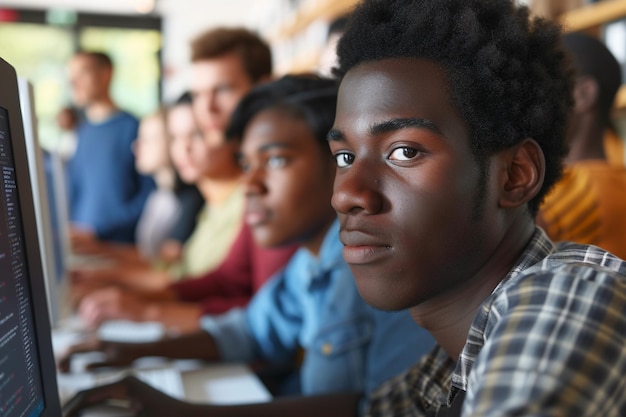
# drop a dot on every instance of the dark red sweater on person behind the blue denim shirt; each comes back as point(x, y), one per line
point(245, 269)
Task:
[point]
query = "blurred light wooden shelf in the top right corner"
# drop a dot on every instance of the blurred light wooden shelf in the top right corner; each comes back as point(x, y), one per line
point(593, 15)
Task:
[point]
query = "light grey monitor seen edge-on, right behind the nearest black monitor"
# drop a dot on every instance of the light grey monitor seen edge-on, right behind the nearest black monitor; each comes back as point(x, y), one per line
point(48, 242)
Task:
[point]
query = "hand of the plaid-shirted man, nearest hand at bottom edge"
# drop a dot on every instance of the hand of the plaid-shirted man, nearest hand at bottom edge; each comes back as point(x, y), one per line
point(138, 397)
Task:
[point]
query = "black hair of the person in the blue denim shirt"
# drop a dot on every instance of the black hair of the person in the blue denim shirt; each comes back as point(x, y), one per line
point(306, 96)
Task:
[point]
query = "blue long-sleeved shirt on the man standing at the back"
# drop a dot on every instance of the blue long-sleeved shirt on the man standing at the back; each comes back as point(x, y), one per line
point(106, 193)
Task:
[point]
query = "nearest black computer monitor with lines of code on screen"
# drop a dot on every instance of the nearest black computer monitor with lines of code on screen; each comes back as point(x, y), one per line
point(28, 384)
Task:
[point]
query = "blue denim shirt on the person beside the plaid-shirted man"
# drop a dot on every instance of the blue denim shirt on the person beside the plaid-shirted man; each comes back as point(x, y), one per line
point(314, 304)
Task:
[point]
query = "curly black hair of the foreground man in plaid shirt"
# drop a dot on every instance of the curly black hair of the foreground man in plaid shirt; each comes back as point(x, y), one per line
point(509, 75)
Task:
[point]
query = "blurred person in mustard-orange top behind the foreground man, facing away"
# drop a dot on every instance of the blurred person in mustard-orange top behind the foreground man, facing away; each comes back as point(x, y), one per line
point(588, 204)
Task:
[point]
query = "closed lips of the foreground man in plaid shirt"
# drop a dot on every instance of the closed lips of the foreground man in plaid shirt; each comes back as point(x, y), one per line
point(363, 248)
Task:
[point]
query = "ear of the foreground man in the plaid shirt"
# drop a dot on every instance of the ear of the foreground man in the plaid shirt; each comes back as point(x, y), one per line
point(525, 169)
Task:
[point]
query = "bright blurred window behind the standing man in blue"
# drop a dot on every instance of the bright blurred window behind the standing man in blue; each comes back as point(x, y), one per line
point(40, 43)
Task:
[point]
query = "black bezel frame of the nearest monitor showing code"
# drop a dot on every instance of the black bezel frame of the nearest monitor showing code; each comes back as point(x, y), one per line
point(9, 100)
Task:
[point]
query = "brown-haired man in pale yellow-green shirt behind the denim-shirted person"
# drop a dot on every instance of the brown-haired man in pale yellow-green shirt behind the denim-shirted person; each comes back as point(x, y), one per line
point(225, 64)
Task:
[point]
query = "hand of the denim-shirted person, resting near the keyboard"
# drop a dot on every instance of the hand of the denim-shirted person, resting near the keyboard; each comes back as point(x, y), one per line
point(115, 354)
